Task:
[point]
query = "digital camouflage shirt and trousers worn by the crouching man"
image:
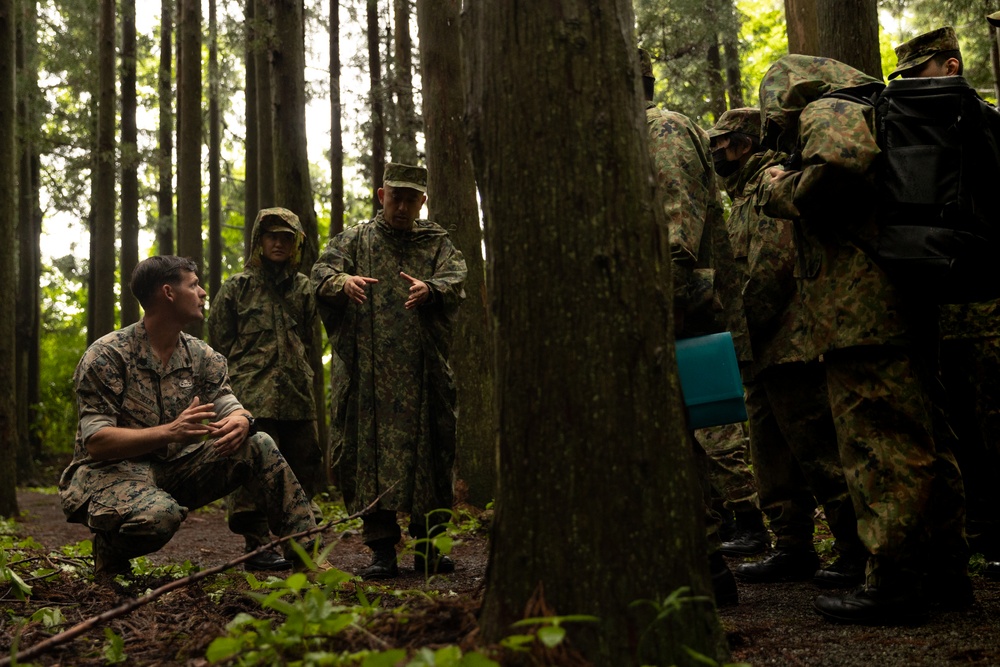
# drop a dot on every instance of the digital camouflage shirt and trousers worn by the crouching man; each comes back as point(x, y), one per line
point(136, 505)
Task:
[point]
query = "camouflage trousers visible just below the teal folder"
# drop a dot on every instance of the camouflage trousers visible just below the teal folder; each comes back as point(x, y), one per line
point(730, 474)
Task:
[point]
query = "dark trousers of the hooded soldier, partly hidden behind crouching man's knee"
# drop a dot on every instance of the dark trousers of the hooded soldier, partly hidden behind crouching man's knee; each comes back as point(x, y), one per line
point(299, 444)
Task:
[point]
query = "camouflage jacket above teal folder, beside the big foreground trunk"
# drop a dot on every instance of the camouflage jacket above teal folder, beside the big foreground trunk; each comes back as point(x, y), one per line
point(706, 279)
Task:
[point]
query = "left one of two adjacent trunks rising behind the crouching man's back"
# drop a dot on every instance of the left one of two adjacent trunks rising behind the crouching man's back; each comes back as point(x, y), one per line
point(102, 259)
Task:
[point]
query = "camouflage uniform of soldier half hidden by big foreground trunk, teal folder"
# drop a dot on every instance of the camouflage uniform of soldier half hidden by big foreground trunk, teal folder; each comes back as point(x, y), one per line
point(705, 281)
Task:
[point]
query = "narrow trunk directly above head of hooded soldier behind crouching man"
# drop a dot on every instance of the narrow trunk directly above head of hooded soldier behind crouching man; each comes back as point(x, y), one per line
point(263, 37)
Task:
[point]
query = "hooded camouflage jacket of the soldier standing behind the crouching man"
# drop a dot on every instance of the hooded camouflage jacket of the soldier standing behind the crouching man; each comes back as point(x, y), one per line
point(264, 320)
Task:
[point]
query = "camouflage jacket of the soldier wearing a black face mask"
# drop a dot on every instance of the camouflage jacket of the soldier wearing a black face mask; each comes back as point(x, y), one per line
point(765, 250)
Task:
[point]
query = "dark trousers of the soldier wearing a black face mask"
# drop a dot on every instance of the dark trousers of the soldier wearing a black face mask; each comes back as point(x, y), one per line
point(797, 464)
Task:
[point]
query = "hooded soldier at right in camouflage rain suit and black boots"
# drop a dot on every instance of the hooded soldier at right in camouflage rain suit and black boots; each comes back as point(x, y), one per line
point(905, 486)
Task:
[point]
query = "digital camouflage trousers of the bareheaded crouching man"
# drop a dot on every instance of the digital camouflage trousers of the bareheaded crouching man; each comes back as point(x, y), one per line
point(139, 516)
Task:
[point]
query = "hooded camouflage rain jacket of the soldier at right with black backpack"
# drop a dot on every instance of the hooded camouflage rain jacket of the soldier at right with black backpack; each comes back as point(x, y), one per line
point(848, 299)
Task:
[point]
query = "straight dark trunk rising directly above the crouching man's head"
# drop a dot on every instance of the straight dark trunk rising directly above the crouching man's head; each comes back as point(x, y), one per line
point(189, 224)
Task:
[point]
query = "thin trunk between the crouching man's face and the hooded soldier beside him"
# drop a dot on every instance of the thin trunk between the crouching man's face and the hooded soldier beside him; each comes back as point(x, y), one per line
point(214, 157)
